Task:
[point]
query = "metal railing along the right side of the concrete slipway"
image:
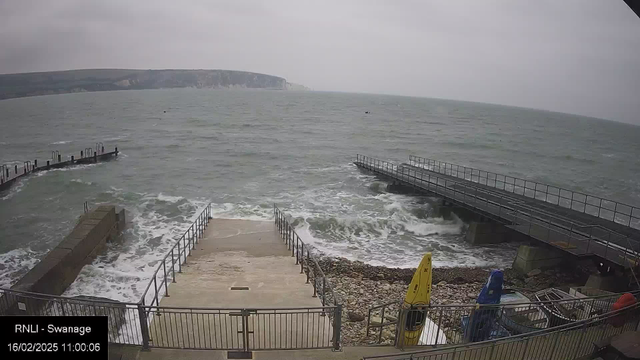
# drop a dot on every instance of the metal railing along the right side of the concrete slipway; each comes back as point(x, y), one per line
point(308, 263)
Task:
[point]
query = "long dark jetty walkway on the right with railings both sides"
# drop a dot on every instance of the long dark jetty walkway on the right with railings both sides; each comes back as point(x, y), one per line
point(583, 225)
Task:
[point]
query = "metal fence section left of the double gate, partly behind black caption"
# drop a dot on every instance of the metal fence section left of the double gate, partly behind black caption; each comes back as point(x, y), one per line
point(123, 318)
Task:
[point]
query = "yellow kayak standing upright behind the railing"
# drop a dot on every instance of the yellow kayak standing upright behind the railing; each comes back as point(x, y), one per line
point(418, 294)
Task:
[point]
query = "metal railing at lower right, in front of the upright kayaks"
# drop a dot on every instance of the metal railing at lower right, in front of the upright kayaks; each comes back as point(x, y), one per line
point(457, 324)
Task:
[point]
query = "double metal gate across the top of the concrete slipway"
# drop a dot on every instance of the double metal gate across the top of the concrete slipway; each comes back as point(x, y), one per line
point(243, 330)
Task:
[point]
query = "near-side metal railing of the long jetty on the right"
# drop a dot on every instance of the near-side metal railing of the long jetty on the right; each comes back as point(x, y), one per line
point(566, 234)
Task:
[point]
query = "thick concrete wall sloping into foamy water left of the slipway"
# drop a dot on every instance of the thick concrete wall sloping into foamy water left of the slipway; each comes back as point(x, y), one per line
point(60, 267)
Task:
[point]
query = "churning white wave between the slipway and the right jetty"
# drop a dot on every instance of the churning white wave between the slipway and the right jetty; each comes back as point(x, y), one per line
point(375, 227)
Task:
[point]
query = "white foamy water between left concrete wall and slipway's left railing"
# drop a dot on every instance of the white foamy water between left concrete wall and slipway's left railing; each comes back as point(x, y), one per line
point(122, 273)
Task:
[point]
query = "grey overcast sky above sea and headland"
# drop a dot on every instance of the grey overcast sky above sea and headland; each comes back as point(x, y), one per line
point(543, 54)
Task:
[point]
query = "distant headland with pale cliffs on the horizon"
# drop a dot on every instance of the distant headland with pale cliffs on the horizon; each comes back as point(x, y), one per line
point(71, 81)
